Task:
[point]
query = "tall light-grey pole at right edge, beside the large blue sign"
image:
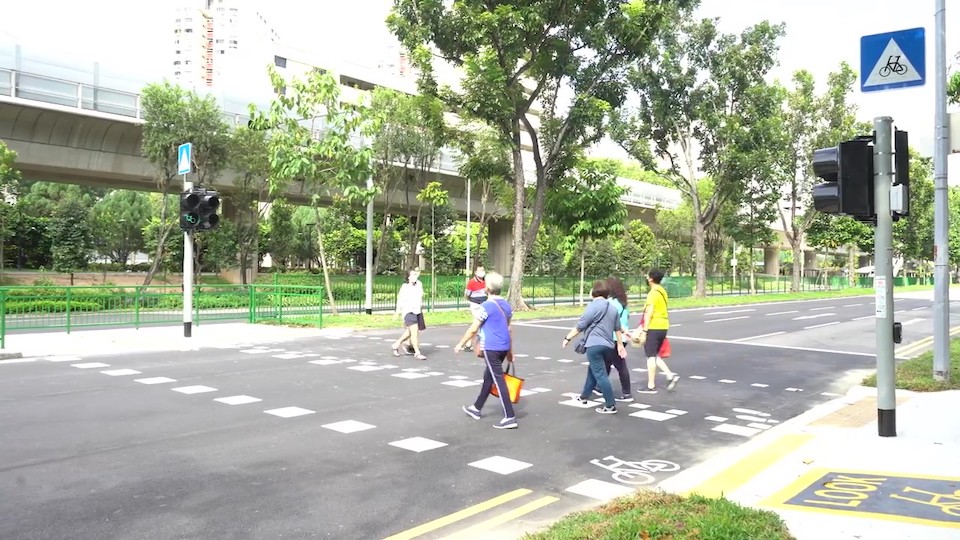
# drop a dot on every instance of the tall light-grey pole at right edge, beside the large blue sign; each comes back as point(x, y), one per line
point(941, 211)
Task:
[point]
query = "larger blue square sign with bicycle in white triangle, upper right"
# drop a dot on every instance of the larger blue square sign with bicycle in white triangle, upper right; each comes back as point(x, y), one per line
point(893, 60)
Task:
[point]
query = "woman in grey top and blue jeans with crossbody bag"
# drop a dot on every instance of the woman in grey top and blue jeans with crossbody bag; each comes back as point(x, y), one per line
point(601, 324)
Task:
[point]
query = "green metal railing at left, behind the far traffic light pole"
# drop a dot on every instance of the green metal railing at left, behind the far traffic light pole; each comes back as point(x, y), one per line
point(27, 308)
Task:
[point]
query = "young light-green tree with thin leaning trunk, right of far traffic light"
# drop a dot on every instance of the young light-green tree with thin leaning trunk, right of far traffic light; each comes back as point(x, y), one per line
point(311, 140)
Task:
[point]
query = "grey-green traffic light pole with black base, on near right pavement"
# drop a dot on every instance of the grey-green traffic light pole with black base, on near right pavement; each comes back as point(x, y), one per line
point(883, 276)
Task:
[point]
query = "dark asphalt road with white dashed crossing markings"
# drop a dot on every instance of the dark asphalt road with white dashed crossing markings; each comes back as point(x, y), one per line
point(378, 445)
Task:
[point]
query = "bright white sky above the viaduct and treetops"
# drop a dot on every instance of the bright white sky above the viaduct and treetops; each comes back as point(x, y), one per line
point(820, 35)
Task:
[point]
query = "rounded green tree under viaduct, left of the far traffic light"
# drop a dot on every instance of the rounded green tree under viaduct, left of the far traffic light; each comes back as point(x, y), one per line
point(119, 219)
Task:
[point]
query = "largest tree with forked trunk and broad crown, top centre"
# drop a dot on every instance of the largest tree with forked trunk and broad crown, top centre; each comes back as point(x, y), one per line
point(519, 56)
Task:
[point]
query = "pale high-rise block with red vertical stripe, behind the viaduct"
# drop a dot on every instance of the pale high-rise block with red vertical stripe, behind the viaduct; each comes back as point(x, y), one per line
point(219, 42)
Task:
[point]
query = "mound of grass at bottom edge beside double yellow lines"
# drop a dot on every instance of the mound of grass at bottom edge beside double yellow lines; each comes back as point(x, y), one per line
point(653, 515)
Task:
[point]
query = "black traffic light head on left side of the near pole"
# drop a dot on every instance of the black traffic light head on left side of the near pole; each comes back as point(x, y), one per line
point(847, 171)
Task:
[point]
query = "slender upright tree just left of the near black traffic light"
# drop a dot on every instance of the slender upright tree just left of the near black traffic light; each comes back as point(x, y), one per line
point(812, 122)
